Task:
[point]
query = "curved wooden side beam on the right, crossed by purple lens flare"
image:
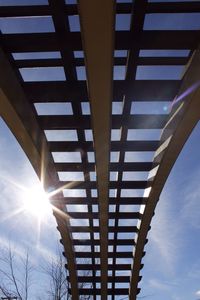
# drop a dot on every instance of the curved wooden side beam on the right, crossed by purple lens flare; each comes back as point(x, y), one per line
point(182, 120)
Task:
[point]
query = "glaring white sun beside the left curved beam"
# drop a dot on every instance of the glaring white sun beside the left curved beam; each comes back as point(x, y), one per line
point(36, 201)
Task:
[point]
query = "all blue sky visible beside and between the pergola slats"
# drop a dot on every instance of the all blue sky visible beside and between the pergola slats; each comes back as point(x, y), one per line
point(172, 263)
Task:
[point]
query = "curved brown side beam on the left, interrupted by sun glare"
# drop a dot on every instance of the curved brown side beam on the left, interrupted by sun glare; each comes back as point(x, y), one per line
point(18, 115)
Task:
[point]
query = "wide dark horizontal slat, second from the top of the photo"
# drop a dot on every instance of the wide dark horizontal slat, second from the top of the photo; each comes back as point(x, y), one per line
point(151, 39)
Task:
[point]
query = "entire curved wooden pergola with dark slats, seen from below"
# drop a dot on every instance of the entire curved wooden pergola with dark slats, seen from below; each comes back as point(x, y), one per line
point(73, 88)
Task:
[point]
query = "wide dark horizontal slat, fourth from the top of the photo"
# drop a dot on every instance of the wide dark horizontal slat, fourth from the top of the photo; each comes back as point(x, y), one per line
point(143, 90)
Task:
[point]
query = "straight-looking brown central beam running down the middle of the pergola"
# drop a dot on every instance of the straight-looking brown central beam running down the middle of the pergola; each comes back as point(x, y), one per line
point(97, 29)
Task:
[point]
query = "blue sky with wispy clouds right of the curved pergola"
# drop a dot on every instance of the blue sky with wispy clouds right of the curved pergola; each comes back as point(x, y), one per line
point(172, 263)
